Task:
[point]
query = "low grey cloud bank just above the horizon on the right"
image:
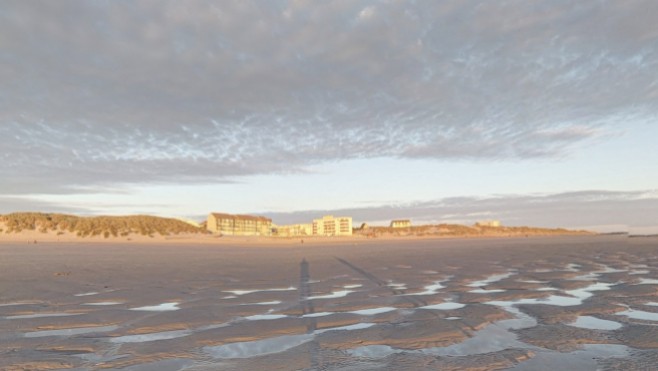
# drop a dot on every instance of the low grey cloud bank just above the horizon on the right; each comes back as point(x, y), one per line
point(599, 210)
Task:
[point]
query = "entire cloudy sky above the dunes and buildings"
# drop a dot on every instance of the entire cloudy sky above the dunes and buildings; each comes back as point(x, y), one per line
point(541, 112)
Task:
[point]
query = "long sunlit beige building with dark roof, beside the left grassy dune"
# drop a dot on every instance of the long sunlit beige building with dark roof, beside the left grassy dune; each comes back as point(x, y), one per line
point(239, 225)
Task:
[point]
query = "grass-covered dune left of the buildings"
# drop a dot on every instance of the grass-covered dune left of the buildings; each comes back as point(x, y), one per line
point(105, 226)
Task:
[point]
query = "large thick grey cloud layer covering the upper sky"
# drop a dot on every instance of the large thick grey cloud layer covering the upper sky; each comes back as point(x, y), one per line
point(101, 93)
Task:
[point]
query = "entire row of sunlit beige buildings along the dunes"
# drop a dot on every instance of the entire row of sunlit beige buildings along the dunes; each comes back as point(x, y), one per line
point(328, 225)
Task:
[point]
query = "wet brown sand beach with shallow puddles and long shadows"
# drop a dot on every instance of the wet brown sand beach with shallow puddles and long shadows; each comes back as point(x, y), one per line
point(581, 303)
